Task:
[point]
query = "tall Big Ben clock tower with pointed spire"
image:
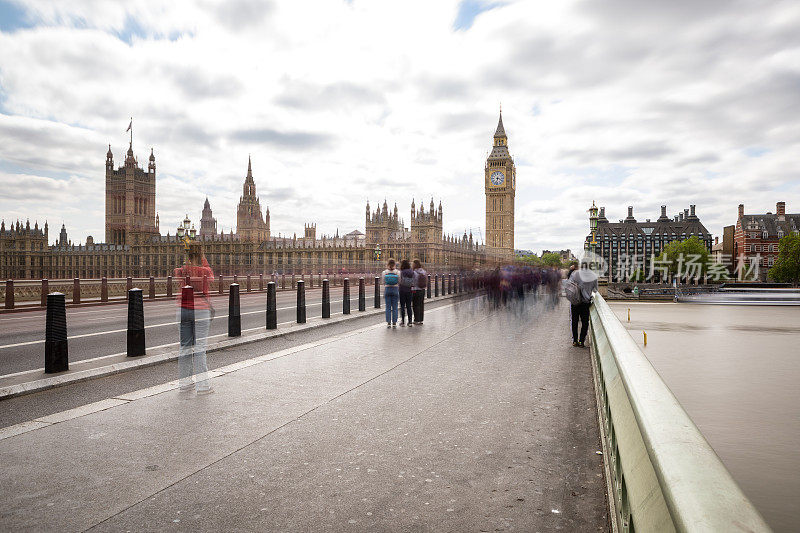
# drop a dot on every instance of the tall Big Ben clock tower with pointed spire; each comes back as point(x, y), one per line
point(501, 185)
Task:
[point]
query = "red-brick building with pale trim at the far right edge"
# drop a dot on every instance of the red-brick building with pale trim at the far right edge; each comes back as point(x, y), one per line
point(756, 236)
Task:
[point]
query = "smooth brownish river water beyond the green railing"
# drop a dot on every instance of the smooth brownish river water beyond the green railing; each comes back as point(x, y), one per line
point(736, 371)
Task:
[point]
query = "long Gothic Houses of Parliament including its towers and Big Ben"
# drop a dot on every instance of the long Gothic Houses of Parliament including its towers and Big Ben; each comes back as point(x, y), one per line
point(134, 245)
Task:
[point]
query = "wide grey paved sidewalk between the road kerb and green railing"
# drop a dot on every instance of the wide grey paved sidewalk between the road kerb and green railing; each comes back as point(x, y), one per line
point(480, 420)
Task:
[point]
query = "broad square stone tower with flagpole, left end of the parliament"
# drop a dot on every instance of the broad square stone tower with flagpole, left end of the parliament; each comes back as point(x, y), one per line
point(130, 200)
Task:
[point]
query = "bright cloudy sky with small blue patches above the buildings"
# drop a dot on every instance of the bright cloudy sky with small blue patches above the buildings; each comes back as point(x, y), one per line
point(623, 102)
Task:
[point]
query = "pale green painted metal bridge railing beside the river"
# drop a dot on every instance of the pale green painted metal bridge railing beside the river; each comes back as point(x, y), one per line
point(664, 474)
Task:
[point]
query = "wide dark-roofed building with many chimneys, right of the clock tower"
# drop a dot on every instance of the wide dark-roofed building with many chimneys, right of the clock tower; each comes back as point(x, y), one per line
point(627, 242)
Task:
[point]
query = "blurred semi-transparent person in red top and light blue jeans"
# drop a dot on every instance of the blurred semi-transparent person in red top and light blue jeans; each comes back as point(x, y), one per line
point(194, 315)
